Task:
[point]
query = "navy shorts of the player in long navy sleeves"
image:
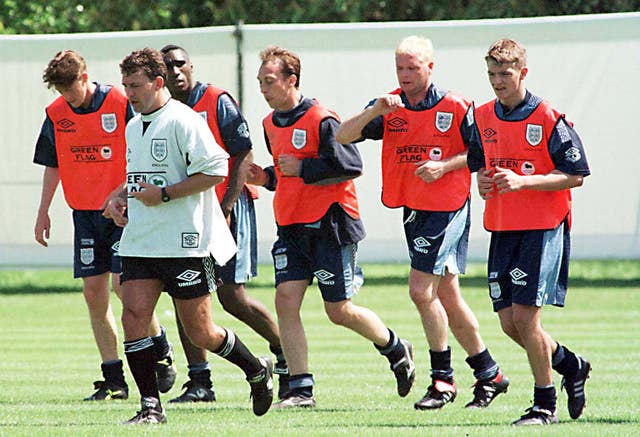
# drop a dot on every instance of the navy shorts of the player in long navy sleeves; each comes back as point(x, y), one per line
point(308, 254)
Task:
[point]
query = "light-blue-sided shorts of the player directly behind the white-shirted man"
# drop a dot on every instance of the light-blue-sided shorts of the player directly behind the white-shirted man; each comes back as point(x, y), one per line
point(244, 265)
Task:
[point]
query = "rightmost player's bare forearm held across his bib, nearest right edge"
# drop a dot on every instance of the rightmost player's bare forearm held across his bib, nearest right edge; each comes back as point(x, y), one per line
point(507, 181)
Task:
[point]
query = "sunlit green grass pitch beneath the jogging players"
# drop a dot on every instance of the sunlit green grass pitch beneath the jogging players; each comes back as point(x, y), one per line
point(48, 361)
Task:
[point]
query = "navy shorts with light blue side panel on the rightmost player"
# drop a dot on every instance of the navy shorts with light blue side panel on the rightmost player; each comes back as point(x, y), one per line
point(529, 267)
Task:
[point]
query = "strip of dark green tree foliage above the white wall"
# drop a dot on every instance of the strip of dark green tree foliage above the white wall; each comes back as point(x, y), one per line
point(69, 16)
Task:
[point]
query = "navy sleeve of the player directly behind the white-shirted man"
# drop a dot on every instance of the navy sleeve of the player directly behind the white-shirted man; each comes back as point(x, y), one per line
point(234, 129)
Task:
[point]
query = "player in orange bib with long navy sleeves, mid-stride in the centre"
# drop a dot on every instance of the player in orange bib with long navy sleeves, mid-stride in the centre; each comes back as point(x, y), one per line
point(318, 223)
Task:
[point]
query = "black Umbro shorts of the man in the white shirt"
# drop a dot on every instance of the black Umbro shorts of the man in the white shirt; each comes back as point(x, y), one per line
point(183, 278)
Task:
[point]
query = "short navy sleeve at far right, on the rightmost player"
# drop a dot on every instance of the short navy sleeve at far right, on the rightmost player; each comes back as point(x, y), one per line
point(567, 151)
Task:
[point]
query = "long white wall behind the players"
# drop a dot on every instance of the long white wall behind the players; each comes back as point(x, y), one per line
point(587, 66)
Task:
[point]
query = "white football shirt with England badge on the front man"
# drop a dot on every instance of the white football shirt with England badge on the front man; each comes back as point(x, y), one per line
point(176, 144)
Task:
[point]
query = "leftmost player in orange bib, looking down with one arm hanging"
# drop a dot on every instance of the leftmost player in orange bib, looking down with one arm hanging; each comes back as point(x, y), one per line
point(82, 146)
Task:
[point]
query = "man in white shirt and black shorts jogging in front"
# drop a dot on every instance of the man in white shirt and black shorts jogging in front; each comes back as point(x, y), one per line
point(174, 231)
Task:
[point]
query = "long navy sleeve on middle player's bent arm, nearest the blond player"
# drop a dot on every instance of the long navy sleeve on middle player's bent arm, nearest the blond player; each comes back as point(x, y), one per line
point(335, 162)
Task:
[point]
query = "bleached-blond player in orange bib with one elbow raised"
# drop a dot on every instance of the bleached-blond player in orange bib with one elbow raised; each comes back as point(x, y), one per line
point(424, 132)
